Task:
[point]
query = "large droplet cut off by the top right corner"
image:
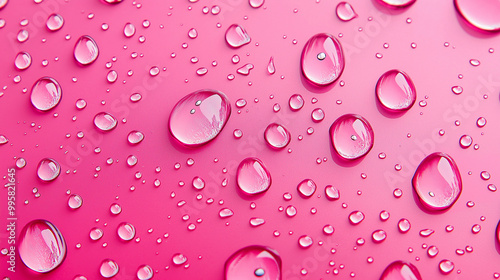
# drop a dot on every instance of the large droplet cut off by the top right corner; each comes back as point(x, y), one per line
point(482, 15)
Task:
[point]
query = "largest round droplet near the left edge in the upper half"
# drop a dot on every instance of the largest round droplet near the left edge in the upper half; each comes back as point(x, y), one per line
point(46, 93)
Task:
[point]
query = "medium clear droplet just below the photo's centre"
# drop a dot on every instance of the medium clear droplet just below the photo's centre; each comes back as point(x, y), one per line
point(253, 177)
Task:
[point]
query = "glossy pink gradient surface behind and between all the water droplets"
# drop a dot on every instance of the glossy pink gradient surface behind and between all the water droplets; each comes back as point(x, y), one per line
point(433, 67)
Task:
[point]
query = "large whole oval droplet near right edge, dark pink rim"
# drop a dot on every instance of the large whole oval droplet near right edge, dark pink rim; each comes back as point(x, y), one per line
point(437, 182)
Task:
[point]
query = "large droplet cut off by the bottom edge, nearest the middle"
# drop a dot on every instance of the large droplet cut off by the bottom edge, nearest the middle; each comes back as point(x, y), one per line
point(253, 262)
